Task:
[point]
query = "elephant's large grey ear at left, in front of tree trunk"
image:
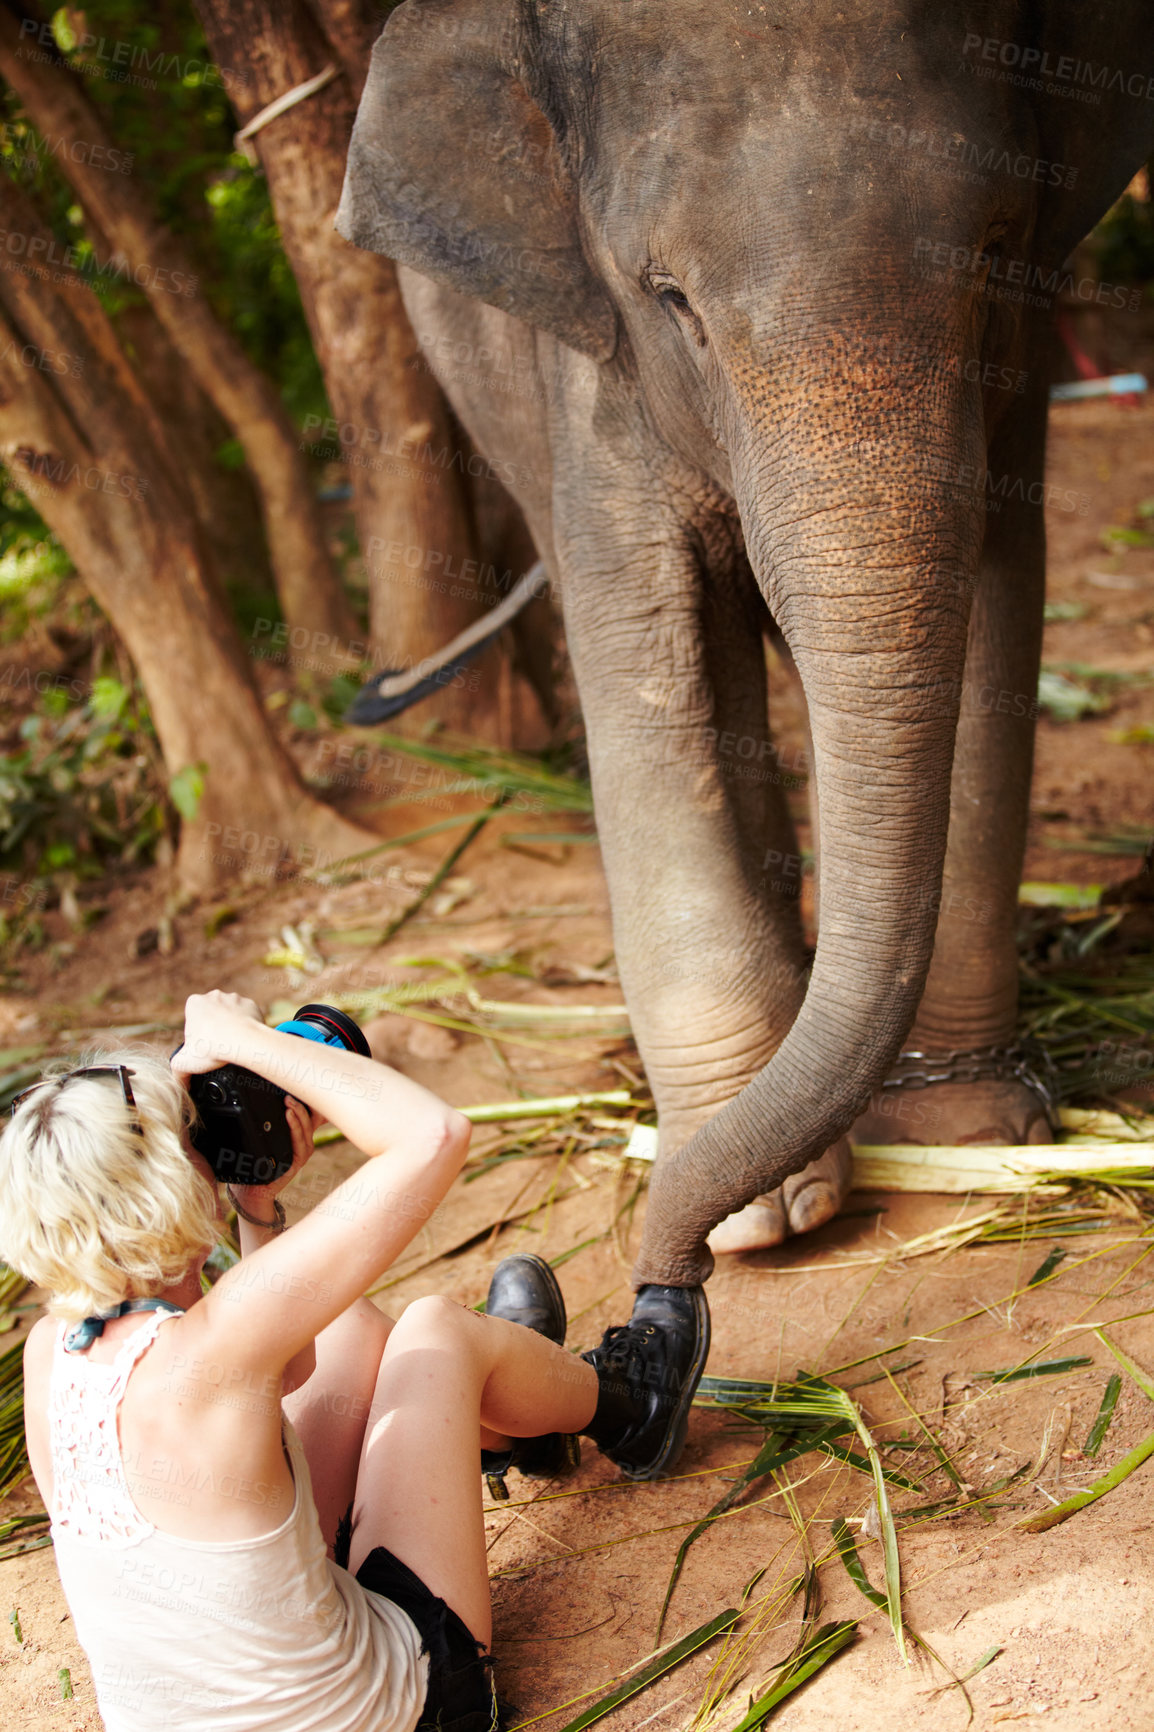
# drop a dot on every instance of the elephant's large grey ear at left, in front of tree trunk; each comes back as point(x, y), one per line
point(455, 171)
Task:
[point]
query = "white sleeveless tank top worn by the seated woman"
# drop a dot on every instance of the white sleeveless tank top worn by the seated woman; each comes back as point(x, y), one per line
point(197, 1636)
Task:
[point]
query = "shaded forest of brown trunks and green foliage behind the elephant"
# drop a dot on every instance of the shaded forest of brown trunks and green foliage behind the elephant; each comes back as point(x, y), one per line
point(231, 488)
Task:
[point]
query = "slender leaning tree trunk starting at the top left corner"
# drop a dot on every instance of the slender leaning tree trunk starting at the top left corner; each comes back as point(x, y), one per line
point(308, 583)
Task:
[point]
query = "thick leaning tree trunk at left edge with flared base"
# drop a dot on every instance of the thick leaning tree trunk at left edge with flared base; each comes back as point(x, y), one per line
point(91, 453)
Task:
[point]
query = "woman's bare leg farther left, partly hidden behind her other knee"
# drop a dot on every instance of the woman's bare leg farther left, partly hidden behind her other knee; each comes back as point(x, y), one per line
point(332, 1411)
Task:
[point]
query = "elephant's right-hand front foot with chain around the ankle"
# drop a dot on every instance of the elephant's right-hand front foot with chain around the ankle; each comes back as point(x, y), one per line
point(987, 1111)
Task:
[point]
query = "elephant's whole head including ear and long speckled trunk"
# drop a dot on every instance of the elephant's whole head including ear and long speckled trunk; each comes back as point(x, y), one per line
point(781, 233)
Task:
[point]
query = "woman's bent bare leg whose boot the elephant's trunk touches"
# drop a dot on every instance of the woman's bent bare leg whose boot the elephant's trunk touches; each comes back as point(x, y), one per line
point(444, 1374)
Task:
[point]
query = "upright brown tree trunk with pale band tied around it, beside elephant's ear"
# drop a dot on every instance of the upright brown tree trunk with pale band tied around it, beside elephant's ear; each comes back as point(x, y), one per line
point(413, 519)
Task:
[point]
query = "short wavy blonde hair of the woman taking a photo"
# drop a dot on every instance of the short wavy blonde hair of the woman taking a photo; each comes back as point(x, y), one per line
point(91, 1208)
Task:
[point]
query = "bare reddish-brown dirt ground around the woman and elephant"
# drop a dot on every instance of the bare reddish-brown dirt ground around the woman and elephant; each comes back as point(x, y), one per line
point(580, 1567)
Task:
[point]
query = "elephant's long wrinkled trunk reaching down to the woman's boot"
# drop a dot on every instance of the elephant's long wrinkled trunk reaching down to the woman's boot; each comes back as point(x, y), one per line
point(872, 591)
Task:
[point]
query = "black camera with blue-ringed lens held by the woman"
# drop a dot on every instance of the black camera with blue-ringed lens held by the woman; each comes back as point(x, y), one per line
point(243, 1128)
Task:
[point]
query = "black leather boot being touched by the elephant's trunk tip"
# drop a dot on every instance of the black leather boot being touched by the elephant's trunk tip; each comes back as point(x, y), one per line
point(649, 1371)
